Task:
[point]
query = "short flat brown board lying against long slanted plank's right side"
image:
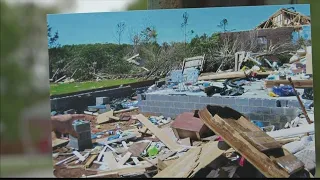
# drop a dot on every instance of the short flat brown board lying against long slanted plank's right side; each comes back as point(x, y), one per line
point(261, 140)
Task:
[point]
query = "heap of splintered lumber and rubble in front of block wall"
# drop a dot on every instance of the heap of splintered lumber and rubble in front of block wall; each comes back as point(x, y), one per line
point(213, 142)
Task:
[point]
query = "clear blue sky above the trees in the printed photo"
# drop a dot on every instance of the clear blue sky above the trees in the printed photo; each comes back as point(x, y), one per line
point(90, 28)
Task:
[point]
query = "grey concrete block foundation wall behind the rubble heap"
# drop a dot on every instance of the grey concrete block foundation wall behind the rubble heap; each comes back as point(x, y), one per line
point(259, 109)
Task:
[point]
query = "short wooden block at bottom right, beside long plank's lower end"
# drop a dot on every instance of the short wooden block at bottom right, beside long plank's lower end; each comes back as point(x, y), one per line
point(290, 163)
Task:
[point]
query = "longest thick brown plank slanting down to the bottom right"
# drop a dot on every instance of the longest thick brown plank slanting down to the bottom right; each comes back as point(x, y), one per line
point(233, 138)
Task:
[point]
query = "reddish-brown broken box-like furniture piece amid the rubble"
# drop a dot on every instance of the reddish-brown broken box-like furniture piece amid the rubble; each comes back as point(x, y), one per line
point(186, 125)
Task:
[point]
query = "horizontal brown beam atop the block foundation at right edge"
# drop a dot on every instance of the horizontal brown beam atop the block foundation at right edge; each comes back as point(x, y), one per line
point(306, 83)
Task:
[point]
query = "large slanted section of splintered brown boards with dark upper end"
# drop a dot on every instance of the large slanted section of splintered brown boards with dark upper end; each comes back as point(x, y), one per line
point(239, 134)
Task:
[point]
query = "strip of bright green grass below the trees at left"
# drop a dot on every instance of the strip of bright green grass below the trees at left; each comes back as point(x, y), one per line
point(56, 89)
